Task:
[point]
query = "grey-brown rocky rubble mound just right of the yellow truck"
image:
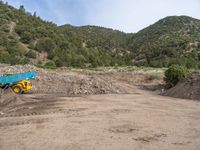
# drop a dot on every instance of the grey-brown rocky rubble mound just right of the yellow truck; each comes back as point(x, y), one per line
point(73, 84)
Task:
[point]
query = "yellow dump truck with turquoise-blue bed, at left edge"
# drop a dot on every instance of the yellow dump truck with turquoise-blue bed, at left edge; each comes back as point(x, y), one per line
point(19, 83)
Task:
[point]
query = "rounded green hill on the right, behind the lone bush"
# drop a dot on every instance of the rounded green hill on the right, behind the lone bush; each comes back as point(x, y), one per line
point(172, 40)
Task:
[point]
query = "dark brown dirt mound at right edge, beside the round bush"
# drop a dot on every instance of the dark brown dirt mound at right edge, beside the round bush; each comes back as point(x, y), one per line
point(188, 88)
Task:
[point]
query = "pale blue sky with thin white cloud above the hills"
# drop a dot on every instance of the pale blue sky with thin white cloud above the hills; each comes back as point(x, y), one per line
point(124, 15)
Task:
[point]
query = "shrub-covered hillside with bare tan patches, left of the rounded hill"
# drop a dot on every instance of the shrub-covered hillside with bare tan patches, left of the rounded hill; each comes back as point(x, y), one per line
point(25, 38)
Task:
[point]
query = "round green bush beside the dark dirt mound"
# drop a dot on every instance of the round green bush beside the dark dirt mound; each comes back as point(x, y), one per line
point(174, 74)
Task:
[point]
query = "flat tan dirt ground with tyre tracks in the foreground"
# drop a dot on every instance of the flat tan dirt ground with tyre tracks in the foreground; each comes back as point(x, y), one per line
point(137, 121)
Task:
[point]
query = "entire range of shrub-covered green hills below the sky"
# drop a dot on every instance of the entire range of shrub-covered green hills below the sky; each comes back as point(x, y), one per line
point(26, 38)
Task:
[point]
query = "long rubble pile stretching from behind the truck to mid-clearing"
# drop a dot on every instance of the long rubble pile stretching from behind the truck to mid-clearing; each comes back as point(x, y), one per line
point(67, 82)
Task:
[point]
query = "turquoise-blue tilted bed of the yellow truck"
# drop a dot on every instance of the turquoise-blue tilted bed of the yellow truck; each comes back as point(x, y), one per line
point(13, 78)
